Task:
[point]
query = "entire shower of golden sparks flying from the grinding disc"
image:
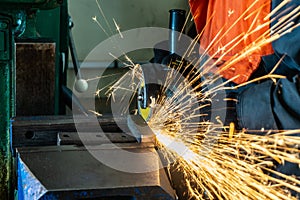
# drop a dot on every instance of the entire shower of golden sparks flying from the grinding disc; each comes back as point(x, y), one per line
point(217, 163)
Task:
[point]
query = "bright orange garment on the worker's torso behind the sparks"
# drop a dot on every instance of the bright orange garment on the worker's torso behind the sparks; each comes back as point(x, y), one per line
point(225, 24)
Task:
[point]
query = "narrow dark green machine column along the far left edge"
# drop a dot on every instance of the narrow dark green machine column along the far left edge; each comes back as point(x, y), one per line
point(6, 102)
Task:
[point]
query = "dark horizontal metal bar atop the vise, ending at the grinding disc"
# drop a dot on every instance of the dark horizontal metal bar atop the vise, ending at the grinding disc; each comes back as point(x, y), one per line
point(53, 130)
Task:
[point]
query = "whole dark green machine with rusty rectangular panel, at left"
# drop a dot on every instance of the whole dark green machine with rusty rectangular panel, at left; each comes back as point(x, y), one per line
point(33, 43)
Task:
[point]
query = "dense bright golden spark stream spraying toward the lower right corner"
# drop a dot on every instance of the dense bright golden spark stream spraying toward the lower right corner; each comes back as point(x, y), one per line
point(236, 167)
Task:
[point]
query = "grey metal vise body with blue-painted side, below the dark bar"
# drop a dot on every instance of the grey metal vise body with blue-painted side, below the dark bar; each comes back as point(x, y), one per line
point(70, 172)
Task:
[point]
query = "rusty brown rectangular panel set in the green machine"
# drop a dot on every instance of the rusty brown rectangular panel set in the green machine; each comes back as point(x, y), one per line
point(35, 78)
